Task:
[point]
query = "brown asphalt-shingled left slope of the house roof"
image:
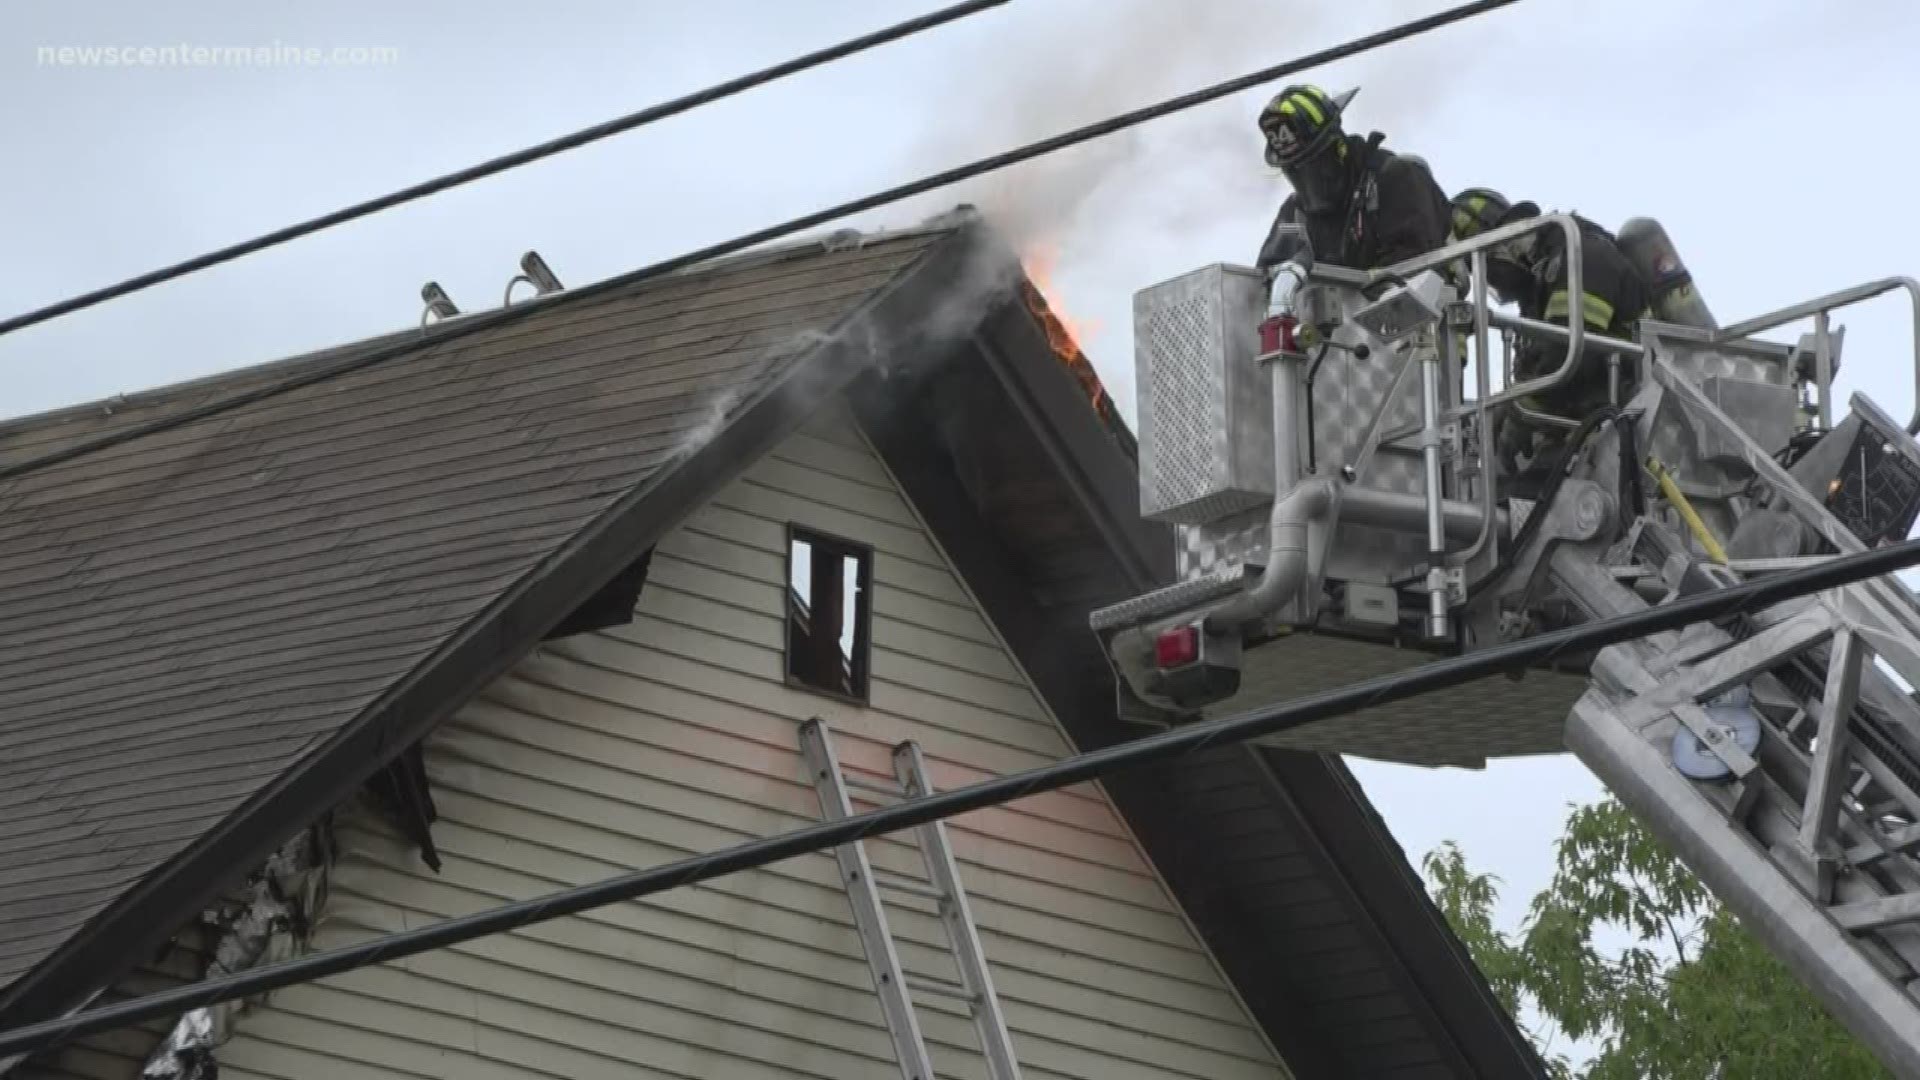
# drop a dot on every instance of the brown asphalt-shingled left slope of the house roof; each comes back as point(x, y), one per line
point(185, 616)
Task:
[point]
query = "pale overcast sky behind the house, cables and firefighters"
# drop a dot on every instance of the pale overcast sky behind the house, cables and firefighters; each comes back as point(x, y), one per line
point(1771, 137)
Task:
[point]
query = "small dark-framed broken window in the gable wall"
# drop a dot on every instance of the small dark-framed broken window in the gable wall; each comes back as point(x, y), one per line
point(828, 614)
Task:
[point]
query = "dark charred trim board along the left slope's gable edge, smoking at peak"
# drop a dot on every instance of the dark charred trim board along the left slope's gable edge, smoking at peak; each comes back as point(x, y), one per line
point(147, 916)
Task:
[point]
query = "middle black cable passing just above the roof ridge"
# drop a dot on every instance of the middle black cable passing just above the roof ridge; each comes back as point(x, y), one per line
point(496, 318)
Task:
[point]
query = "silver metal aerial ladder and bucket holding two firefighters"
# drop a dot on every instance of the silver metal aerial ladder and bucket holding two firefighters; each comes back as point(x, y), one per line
point(1341, 514)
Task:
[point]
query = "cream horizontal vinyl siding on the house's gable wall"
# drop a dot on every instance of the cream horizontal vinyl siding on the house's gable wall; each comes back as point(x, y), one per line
point(677, 735)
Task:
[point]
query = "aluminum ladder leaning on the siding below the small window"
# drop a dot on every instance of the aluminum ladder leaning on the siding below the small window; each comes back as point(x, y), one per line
point(944, 887)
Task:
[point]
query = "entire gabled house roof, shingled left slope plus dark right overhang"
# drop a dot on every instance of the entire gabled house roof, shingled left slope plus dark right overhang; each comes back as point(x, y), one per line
point(214, 631)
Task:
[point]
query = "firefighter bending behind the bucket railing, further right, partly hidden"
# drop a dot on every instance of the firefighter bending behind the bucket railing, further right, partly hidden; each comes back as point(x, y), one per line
point(1531, 274)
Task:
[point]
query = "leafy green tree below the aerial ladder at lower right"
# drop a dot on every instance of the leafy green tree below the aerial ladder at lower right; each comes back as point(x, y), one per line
point(1691, 994)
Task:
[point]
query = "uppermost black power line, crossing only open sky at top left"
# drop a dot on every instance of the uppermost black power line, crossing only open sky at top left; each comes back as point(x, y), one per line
point(506, 162)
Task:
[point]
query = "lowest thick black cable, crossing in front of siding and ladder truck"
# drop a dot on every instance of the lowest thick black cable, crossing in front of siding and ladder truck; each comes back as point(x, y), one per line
point(1080, 770)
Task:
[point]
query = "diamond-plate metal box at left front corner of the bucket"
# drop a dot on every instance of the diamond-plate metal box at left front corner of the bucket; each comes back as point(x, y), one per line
point(1207, 408)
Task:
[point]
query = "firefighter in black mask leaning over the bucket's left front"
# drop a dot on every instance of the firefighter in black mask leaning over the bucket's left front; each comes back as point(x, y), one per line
point(1364, 207)
